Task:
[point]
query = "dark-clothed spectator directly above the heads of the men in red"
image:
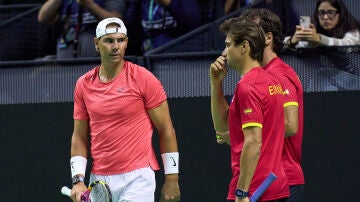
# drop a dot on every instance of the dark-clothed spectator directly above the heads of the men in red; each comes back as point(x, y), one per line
point(282, 8)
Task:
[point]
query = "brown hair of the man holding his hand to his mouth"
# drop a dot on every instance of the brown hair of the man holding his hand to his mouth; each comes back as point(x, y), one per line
point(240, 30)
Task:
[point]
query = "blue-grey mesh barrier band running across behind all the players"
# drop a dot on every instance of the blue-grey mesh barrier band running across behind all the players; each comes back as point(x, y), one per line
point(182, 74)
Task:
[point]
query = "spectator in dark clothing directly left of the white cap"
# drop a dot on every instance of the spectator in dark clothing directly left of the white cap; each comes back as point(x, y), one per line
point(78, 20)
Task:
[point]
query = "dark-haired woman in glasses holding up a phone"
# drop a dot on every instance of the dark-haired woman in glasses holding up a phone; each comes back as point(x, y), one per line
point(333, 26)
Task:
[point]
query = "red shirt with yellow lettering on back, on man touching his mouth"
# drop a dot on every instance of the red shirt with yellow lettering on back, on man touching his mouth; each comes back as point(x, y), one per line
point(258, 101)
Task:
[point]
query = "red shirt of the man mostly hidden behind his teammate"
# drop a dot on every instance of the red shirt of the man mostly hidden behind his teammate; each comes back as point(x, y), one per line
point(294, 96)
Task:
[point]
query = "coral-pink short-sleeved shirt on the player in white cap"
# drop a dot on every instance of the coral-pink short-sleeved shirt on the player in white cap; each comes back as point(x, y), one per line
point(120, 127)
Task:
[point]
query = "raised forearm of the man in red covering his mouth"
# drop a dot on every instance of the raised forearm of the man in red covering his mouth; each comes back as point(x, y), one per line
point(219, 108)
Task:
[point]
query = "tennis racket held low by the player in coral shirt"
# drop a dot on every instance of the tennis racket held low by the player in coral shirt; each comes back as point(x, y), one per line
point(98, 191)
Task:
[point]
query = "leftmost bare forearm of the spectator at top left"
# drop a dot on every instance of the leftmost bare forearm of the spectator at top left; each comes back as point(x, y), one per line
point(49, 11)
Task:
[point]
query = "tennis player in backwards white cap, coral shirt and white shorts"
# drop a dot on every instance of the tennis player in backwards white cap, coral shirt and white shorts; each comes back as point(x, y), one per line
point(117, 105)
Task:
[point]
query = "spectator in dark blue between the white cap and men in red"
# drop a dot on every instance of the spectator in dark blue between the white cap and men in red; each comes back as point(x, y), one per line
point(165, 20)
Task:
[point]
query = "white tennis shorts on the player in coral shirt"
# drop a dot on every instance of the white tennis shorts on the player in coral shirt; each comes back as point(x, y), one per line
point(134, 186)
